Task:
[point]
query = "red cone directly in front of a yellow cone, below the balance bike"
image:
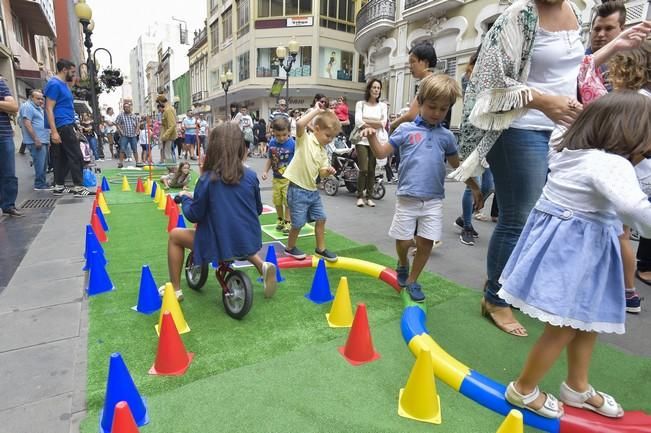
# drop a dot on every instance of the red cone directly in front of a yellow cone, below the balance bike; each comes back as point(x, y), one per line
point(171, 358)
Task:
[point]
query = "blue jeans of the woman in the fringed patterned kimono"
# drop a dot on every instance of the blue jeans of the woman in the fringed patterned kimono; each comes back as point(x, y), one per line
point(518, 161)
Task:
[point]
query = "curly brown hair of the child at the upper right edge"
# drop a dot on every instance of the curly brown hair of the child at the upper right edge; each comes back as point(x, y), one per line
point(631, 69)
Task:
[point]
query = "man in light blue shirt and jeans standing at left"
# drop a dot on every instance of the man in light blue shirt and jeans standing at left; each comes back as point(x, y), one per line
point(35, 136)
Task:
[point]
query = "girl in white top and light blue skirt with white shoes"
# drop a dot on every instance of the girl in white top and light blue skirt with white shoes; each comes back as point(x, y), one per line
point(566, 269)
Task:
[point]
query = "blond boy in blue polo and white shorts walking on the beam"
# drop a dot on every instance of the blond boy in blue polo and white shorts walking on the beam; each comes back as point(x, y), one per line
point(424, 146)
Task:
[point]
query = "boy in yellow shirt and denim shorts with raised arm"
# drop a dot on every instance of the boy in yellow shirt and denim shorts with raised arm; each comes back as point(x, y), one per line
point(310, 160)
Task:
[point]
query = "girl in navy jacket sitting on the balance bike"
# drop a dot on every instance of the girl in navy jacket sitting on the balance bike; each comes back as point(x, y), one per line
point(225, 205)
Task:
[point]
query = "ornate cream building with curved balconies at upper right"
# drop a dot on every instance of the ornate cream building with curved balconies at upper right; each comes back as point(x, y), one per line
point(388, 29)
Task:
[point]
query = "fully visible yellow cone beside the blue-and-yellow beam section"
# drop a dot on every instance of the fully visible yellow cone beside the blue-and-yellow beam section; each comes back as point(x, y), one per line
point(418, 399)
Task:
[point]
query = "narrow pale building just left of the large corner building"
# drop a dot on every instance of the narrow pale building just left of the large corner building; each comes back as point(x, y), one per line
point(198, 59)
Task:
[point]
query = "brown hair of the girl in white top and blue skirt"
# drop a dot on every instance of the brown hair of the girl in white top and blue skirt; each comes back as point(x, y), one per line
point(619, 123)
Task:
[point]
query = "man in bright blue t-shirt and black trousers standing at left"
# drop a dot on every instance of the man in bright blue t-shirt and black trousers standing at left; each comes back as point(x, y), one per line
point(60, 119)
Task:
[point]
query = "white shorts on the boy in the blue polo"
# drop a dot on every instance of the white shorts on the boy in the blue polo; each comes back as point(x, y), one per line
point(413, 214)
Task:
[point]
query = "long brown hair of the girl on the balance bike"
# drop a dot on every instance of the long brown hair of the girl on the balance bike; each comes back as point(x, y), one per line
point(225, 152)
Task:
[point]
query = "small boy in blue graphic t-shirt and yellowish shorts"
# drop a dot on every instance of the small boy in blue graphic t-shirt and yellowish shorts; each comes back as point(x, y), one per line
point(281, 152)
